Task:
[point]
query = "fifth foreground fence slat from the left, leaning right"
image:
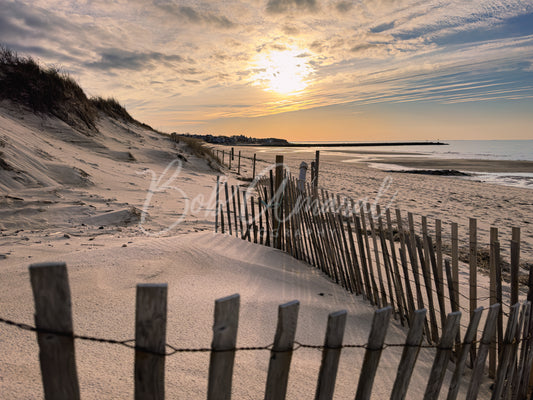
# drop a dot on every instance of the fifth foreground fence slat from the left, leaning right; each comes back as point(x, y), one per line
point(331, 355)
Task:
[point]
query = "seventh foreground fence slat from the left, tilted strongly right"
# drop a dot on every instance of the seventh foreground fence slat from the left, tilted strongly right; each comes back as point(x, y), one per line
point(409, 355)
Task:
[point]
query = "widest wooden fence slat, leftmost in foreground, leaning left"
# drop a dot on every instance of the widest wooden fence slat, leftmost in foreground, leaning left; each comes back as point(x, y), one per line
point(53, 312)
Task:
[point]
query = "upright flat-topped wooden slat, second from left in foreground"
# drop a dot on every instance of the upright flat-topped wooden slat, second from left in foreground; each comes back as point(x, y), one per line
point(150, 341)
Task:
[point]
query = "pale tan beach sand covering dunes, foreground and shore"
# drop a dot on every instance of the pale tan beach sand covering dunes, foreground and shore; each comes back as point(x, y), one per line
point(110, 206)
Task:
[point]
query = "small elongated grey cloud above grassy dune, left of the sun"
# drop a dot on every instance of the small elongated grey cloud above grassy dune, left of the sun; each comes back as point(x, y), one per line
point(130, 60)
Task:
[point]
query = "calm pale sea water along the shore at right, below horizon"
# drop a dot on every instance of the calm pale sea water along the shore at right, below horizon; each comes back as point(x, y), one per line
point(517, 150)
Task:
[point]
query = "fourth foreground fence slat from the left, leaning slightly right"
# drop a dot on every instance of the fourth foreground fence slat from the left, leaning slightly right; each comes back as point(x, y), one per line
point(281, 354)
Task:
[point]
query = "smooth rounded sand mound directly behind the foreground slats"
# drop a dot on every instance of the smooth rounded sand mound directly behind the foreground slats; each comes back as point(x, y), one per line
point(199, 268)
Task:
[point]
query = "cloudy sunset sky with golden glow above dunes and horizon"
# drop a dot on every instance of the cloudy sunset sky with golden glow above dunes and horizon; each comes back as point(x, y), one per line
point(317, 70)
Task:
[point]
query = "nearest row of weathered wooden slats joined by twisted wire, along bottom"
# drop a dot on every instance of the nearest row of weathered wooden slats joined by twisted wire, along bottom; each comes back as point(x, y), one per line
point(55, 336)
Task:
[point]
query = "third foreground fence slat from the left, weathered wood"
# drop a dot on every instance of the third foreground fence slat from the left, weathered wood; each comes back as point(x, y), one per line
point(223, 347)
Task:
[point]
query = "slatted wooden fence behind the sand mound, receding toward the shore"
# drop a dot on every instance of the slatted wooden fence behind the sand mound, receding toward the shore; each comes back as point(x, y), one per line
point(372, 252)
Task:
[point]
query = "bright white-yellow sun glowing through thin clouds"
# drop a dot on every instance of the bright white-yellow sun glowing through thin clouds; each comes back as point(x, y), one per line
point(286, 72)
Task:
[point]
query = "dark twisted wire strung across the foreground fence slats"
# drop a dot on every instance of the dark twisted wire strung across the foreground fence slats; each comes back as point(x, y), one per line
point(172, 350)
